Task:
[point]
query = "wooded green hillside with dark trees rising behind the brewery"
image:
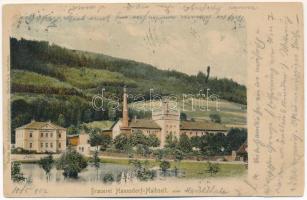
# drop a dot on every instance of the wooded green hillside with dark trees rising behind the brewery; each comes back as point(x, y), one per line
point(49, 82)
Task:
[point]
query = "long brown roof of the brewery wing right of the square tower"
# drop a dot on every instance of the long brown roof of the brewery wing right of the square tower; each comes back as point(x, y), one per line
point(202, 125)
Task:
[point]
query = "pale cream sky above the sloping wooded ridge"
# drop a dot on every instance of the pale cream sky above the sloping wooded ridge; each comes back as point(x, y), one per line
point(183, 45)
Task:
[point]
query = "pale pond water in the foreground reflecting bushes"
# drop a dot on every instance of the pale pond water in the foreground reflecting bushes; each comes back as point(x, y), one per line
point(107, 172)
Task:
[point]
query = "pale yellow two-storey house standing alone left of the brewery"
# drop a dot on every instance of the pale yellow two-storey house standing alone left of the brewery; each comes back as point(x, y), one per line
point(41, 137)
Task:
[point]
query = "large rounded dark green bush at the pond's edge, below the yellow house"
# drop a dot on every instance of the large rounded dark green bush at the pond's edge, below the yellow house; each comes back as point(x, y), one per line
point(72, 163)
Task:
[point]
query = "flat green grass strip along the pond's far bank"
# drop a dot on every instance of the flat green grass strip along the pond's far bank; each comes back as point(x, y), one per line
point(193, 169)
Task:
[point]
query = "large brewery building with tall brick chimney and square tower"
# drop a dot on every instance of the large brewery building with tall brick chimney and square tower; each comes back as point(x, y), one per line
point(164, 122)
